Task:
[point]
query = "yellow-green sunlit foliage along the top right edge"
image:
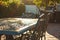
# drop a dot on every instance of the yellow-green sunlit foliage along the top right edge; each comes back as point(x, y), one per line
point(43, 2)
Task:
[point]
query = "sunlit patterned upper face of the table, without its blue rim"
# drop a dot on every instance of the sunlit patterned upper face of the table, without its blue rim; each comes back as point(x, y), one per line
point(16, 24)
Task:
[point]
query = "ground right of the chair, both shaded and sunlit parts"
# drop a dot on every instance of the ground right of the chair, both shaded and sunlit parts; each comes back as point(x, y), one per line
point(53, 31)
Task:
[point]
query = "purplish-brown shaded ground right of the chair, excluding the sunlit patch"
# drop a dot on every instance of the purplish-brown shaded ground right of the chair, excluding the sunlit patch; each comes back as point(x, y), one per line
point(54, 30)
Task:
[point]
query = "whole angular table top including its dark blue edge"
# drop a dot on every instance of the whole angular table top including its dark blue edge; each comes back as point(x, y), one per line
point(15, 26)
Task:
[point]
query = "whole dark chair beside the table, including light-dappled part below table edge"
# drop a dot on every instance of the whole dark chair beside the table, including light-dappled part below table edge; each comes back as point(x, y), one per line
point(39, 31)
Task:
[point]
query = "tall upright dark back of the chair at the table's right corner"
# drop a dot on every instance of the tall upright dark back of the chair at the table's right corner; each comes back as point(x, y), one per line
point(41, 27)
